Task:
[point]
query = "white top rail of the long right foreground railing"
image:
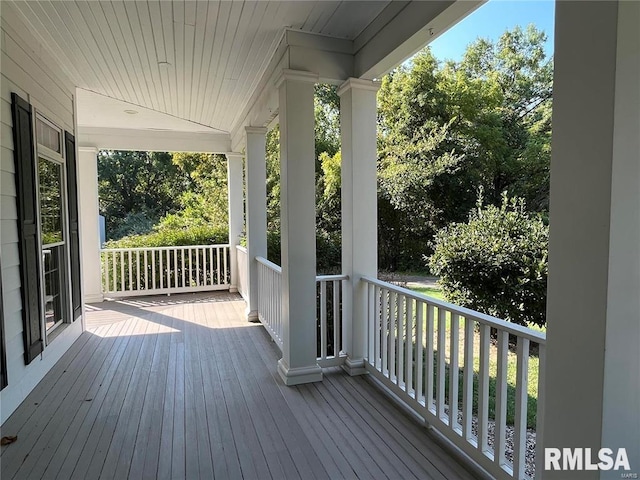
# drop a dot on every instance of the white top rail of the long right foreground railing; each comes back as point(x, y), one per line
point(512, 328)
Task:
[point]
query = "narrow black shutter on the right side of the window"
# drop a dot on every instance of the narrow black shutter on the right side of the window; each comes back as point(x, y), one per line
point(74, 235)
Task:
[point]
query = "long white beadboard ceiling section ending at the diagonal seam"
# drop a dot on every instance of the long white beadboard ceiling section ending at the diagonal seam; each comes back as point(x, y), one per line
point(194, 60)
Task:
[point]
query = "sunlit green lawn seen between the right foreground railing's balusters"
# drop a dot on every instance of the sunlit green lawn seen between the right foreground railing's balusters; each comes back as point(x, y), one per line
point(532, 385)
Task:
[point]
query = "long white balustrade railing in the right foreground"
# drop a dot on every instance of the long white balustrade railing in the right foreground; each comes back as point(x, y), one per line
point(421, 349)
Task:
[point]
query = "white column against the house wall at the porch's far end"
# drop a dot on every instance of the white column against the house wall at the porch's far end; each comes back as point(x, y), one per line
point(89, 225)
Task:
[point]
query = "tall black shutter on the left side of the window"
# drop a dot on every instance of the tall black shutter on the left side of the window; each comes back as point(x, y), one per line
point(27, 227)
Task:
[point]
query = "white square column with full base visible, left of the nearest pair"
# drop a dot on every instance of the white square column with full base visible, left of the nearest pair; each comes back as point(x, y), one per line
point(298, 220)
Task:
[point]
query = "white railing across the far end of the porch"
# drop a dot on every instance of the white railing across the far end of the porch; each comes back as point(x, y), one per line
point(130, 272)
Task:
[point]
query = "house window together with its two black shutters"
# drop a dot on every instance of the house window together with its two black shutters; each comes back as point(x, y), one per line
point(48, 233)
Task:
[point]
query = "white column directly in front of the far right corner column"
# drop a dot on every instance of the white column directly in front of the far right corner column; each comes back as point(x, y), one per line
point(256, 178)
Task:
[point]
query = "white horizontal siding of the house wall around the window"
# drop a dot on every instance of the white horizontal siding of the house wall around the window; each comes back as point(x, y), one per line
point(40, 82)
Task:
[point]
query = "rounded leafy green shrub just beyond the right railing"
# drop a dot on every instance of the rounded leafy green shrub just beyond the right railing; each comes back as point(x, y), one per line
point(496, 263)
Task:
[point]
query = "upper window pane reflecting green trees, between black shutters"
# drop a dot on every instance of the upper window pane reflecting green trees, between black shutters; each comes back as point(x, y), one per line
point(50, 174)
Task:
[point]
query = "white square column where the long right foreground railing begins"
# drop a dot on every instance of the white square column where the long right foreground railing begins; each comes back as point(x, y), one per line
point(359, 212)
